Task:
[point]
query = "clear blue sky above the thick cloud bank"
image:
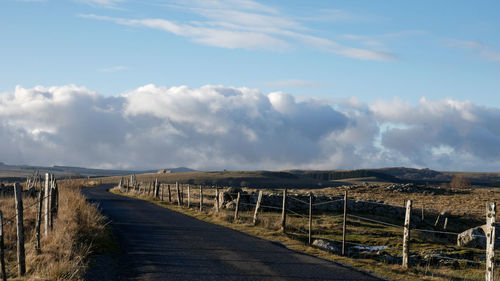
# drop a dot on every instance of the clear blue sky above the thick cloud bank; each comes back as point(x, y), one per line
point(436, 49)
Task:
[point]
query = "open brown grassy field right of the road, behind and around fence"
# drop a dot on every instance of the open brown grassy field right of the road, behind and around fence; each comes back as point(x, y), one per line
point(434, 256)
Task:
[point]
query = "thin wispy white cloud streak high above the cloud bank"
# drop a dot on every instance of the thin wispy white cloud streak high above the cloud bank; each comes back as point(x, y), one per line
point(246, 25)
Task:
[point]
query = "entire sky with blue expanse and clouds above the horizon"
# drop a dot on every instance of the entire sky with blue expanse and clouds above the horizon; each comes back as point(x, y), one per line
point(245, 84)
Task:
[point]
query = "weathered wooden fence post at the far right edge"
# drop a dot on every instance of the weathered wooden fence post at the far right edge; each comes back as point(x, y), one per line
point(491, 211)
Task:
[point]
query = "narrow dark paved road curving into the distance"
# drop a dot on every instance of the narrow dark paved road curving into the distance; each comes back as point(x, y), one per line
point(160, 244)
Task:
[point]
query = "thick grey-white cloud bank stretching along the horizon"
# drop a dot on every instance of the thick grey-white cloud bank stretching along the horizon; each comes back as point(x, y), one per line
point(217, 127)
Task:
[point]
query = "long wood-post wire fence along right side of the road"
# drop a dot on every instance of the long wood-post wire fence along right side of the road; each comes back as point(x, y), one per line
point(338, 224)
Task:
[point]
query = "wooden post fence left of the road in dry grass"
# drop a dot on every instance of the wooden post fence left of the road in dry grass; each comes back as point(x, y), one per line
point(46, 202)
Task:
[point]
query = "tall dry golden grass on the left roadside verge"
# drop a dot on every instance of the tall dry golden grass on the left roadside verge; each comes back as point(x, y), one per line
point(66, 249)
